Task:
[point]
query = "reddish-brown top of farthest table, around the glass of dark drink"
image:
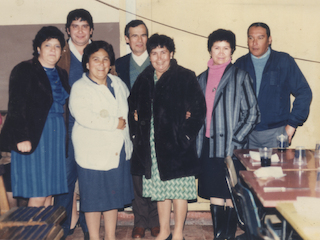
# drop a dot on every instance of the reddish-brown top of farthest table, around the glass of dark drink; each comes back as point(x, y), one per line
point(286, 160)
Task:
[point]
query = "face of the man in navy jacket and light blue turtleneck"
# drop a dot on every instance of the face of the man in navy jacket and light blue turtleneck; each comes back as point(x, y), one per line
point(258, 41)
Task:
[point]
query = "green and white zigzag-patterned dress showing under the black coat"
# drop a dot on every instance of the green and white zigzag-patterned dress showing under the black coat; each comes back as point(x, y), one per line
point(179, 188)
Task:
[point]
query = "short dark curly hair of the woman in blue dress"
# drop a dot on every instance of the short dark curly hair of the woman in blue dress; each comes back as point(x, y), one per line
point(47, 33)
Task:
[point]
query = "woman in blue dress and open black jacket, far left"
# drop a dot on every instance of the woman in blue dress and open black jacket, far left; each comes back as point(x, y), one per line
point(34, 130)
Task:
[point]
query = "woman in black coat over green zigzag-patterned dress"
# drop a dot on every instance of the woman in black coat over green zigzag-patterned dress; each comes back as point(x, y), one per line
point(166, 111)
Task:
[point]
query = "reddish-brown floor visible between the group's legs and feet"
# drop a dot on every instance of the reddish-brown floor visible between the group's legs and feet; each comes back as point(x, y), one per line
point(191, 232)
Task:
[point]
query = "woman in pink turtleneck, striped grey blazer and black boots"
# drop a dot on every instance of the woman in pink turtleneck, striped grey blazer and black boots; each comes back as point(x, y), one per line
point(232, 113)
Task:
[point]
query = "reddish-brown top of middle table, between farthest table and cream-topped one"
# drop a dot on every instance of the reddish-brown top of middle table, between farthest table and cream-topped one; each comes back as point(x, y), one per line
point(293, 179)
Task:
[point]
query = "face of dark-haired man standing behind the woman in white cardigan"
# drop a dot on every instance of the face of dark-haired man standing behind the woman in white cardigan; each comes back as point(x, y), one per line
point(80, 32)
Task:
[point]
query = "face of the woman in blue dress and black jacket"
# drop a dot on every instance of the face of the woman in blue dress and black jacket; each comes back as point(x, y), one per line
point(49, 53)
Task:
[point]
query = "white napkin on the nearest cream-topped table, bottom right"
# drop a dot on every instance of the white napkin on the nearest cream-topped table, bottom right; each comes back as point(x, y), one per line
point(308, 206)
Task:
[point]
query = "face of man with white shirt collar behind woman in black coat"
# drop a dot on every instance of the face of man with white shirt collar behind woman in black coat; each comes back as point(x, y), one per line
point(137, 39)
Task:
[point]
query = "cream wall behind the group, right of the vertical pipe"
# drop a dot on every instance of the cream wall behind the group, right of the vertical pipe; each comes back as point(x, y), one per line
point(293, 29)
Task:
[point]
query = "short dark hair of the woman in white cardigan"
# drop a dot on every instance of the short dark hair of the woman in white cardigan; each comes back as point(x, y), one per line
point(93, 47)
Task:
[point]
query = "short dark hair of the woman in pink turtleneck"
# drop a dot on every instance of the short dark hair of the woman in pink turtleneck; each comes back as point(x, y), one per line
point(222, 35)
